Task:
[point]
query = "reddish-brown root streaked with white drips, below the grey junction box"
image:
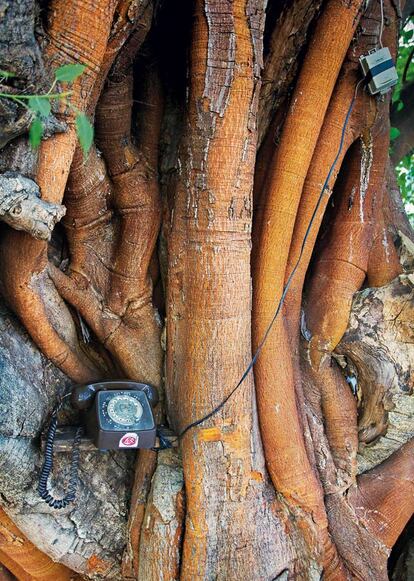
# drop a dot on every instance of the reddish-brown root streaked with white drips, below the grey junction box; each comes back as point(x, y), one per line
point(342, 264)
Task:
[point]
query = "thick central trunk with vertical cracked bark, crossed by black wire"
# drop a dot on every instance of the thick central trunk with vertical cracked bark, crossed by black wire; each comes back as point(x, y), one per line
point(227, 515)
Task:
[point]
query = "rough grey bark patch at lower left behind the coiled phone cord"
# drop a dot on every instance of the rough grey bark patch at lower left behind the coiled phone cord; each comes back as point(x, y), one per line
point(89, 537)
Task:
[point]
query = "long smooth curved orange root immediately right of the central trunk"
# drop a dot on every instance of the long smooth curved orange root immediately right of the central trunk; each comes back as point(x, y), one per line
point(284, 445)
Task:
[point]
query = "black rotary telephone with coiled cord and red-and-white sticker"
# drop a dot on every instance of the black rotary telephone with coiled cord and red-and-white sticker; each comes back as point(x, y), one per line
point(116, 415)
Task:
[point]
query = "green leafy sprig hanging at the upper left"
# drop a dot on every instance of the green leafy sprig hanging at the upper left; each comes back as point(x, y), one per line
point(40, 106)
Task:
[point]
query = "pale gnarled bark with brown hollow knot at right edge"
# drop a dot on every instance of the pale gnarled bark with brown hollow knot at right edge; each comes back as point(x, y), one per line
point(377, 347)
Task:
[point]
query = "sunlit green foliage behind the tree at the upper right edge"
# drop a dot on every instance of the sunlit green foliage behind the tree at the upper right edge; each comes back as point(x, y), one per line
point(405, 69)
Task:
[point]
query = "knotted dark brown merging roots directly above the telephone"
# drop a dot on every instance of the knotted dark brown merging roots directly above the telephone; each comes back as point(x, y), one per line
point(111, 237)
